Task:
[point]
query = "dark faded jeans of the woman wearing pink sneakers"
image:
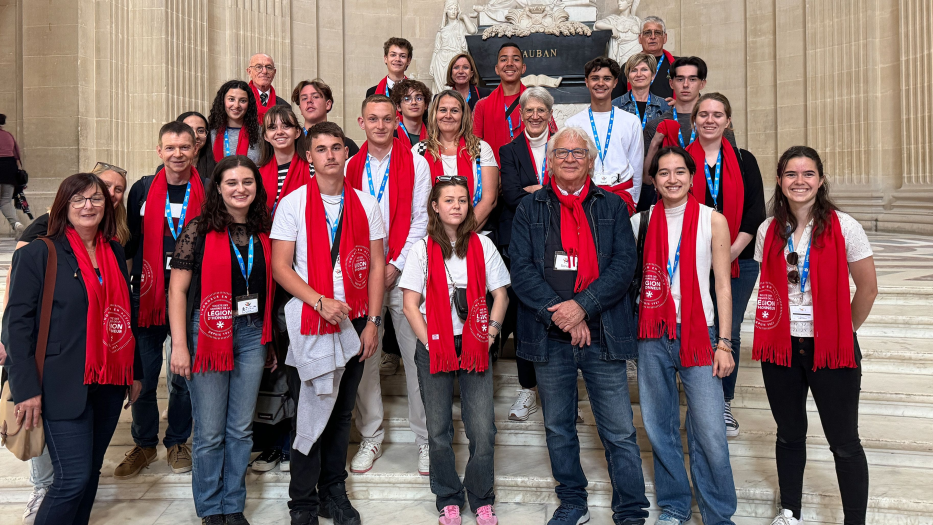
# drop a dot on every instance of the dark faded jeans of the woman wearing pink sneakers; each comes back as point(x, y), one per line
point(476, 407)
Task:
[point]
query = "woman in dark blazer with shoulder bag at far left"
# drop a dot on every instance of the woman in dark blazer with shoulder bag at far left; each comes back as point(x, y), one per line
point(86, 375)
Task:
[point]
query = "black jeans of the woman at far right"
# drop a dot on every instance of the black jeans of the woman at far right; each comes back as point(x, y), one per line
point(836, 393)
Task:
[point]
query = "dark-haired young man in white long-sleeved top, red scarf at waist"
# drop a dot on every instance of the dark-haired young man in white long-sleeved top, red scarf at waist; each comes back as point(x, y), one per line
point(617, 134)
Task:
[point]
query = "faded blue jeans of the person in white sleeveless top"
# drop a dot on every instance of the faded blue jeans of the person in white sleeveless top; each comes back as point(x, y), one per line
point(658, 367)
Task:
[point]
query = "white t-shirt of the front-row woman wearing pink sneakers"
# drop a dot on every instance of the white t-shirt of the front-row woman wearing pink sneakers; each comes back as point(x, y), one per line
point(415, 275)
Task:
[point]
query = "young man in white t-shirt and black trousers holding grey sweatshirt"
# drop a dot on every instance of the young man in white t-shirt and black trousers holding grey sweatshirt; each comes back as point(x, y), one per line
point(325, 394)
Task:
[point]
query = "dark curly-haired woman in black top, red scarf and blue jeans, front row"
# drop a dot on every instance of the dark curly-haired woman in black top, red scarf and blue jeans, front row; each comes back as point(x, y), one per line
point(220, 310)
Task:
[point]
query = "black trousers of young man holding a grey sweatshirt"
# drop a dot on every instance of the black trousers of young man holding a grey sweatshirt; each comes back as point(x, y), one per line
point(324, 469)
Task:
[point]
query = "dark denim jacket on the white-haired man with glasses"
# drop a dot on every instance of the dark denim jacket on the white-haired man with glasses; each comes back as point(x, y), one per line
point(605, 297)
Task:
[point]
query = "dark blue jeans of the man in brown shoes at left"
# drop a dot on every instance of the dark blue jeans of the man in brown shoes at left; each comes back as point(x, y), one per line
point(145, 428)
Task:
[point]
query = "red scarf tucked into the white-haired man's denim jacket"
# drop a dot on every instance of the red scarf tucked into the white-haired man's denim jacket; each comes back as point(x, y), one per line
point(576, 237)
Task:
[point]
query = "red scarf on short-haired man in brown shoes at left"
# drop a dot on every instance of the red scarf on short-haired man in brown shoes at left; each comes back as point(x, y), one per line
point(152, 274)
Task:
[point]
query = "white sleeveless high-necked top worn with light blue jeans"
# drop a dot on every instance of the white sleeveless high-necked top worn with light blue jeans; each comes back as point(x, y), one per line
point(704, 262)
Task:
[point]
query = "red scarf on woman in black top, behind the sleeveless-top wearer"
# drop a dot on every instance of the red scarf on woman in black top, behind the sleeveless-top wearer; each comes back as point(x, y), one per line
point(731, 188)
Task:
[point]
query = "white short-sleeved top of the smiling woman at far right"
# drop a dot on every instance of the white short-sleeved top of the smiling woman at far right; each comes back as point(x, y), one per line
point(857, 248)
